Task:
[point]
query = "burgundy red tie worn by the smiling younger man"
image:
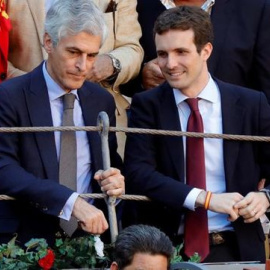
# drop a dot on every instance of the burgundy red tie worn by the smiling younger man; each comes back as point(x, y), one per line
point(196, 222)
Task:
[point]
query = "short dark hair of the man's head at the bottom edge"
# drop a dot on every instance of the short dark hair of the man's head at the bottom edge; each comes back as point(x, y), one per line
point(141, 239)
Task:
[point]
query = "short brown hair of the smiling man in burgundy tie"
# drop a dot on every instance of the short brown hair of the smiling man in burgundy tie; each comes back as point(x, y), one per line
point(185, 18)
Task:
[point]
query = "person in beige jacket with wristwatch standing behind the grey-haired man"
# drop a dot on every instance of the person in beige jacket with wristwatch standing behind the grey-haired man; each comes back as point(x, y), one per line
point(119, 59)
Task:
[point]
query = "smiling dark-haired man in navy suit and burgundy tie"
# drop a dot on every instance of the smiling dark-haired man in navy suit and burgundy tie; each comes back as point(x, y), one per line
point(203, 191)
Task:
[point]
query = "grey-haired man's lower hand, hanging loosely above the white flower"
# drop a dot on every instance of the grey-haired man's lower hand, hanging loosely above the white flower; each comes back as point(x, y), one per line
point(90, 218)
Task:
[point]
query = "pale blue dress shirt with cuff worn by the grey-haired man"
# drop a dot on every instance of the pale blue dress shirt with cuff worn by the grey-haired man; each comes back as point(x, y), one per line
point(83, 148)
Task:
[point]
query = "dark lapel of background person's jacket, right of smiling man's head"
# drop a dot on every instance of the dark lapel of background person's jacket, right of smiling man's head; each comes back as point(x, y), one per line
point(221, 15)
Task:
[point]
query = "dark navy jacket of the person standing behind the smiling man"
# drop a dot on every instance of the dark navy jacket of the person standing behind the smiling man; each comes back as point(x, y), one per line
point(241, 52)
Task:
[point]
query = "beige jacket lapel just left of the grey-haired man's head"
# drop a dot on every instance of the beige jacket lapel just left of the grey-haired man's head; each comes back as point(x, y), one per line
point(37, 9)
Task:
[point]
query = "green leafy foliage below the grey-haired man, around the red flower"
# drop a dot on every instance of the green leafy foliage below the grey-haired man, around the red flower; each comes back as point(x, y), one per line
point(69, 253)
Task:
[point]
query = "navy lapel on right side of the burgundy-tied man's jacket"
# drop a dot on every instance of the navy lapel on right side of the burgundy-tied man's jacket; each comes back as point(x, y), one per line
point(232, 119)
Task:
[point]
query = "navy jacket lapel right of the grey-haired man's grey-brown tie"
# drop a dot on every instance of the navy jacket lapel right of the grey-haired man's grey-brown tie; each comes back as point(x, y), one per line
point(90, 112)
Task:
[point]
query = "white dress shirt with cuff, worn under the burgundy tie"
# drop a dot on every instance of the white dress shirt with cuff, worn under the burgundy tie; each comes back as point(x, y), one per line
point(210, 109)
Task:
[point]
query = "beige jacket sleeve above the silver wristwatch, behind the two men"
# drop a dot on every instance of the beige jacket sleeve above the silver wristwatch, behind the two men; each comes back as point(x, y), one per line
point(126, 45)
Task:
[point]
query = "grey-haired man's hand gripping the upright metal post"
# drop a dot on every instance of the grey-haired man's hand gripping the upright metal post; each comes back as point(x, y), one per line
point(112, 182)
